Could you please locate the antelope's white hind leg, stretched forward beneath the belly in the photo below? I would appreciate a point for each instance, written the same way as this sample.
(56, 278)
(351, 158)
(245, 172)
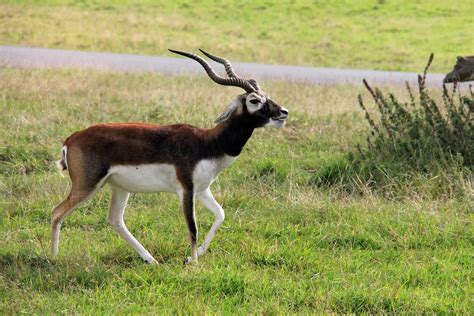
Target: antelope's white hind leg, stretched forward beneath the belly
(115, 219)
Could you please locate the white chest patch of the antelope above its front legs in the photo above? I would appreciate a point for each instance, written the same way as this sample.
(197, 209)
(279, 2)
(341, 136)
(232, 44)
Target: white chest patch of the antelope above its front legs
(206, 171)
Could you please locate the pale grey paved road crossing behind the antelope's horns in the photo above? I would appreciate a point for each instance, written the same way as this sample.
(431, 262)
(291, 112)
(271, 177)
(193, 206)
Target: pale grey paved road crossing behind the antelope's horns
(23, 57)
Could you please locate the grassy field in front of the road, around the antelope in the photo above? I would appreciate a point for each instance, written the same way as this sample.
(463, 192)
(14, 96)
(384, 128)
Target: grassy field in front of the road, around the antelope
(286, 245)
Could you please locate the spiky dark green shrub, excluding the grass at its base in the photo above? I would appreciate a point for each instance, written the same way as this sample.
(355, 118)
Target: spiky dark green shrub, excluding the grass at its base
(421, 131)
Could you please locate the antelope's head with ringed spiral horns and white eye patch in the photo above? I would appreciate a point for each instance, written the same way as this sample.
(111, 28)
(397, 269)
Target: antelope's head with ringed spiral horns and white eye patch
(253, 107)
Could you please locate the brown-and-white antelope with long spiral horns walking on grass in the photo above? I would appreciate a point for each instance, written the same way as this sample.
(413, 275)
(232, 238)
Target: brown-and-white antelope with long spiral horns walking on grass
(180, 158)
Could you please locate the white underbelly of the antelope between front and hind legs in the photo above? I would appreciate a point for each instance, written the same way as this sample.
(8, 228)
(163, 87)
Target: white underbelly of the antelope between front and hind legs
(145, 178)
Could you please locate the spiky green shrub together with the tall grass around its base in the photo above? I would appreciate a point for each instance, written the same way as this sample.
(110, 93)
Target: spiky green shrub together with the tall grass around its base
(421, 145)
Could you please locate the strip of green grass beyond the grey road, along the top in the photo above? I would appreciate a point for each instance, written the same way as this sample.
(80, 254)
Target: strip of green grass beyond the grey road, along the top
(391, 35)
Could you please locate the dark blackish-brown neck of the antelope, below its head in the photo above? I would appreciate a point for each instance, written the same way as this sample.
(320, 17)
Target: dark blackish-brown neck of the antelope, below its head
(230, 137)
